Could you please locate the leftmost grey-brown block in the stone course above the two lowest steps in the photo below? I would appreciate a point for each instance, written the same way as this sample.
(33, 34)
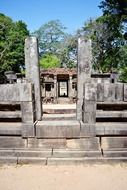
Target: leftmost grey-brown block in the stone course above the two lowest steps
(12, 142)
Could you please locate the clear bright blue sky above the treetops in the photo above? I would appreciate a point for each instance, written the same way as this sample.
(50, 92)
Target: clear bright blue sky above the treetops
(72, 13)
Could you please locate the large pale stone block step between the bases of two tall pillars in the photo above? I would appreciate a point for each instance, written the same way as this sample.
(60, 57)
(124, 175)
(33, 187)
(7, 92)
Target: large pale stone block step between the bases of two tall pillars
(57, 129)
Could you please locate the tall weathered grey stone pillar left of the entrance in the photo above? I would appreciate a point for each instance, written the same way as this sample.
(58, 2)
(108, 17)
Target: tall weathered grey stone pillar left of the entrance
(33, 71)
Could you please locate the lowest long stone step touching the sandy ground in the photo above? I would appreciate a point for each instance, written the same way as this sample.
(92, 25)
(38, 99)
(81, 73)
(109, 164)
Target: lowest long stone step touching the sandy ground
(62, 161)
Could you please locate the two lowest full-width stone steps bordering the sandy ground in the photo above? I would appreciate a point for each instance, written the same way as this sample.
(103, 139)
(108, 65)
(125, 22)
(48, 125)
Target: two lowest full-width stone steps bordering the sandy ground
(58, 157)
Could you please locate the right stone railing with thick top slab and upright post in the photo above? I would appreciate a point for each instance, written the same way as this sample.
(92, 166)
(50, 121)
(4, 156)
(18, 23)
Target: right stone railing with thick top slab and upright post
(114, 94)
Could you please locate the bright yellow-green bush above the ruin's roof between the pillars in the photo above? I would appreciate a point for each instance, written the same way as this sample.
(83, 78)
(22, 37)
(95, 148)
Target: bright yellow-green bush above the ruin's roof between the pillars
(49, 61)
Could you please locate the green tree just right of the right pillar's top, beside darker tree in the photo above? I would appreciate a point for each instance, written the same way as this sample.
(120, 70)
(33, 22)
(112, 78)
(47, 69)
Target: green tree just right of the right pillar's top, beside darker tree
(106, 47)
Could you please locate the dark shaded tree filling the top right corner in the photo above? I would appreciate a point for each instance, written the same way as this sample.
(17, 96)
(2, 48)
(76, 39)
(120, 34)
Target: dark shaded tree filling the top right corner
(115, 12)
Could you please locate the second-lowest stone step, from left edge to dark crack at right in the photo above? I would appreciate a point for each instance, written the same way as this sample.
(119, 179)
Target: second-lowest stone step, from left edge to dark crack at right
(47, 153)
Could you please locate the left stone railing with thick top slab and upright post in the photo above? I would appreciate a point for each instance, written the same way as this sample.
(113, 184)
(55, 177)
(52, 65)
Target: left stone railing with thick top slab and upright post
(23, 94)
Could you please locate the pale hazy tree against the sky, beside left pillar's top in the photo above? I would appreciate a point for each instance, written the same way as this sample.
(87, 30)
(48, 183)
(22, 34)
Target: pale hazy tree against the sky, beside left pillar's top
(50, 36)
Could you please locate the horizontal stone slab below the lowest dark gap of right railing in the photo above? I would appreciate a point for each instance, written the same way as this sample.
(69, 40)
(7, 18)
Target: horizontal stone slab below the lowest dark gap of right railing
(111, 128)
